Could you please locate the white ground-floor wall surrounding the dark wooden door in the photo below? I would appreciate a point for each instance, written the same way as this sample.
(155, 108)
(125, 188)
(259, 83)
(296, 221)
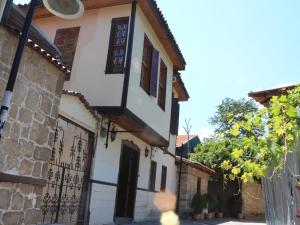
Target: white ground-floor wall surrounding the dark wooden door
(106, 169)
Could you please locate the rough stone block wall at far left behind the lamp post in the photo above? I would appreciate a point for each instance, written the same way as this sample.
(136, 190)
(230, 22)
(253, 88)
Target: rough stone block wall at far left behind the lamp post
(25, 148)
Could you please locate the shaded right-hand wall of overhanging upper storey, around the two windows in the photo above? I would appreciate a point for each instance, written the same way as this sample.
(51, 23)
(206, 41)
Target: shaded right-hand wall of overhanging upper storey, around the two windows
(139, 101)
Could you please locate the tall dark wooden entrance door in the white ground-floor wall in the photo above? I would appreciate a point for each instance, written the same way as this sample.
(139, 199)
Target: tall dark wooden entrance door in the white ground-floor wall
(127, 183)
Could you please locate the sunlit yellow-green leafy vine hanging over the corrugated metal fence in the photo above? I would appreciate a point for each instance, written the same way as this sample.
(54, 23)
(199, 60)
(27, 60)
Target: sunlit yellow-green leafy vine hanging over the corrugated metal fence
(262, 139)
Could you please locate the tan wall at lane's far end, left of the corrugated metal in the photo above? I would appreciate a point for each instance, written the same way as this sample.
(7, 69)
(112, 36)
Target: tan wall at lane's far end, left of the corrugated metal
(253, 199)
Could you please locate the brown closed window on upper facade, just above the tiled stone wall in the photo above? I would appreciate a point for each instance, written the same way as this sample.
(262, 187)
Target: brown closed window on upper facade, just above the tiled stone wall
(66, 40)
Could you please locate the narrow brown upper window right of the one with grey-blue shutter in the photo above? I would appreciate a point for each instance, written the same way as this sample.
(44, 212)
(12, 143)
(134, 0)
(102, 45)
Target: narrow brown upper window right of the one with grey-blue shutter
(162, 85)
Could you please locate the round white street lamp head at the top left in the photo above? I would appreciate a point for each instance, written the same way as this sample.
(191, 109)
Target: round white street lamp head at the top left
(66, 9)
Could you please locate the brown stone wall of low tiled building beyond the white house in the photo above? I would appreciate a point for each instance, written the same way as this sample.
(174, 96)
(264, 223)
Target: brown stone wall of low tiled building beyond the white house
(188, 187)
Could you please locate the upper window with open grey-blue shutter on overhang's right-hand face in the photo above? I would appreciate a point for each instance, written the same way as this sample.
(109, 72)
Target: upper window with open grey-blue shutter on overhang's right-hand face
(149, 68)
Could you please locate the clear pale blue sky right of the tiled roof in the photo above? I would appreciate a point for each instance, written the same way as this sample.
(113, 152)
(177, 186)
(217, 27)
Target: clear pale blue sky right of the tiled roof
(232, 47)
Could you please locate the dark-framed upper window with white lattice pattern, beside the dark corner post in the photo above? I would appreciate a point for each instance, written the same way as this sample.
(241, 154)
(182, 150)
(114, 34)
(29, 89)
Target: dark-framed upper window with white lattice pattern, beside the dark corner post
(117, 45)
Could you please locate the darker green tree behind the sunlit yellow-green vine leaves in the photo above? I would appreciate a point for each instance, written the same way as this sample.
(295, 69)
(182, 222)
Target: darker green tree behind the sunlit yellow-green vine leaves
(213, 151)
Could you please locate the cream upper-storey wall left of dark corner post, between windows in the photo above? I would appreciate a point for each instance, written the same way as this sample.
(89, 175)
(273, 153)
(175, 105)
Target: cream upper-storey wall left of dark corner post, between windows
(88, 73)
